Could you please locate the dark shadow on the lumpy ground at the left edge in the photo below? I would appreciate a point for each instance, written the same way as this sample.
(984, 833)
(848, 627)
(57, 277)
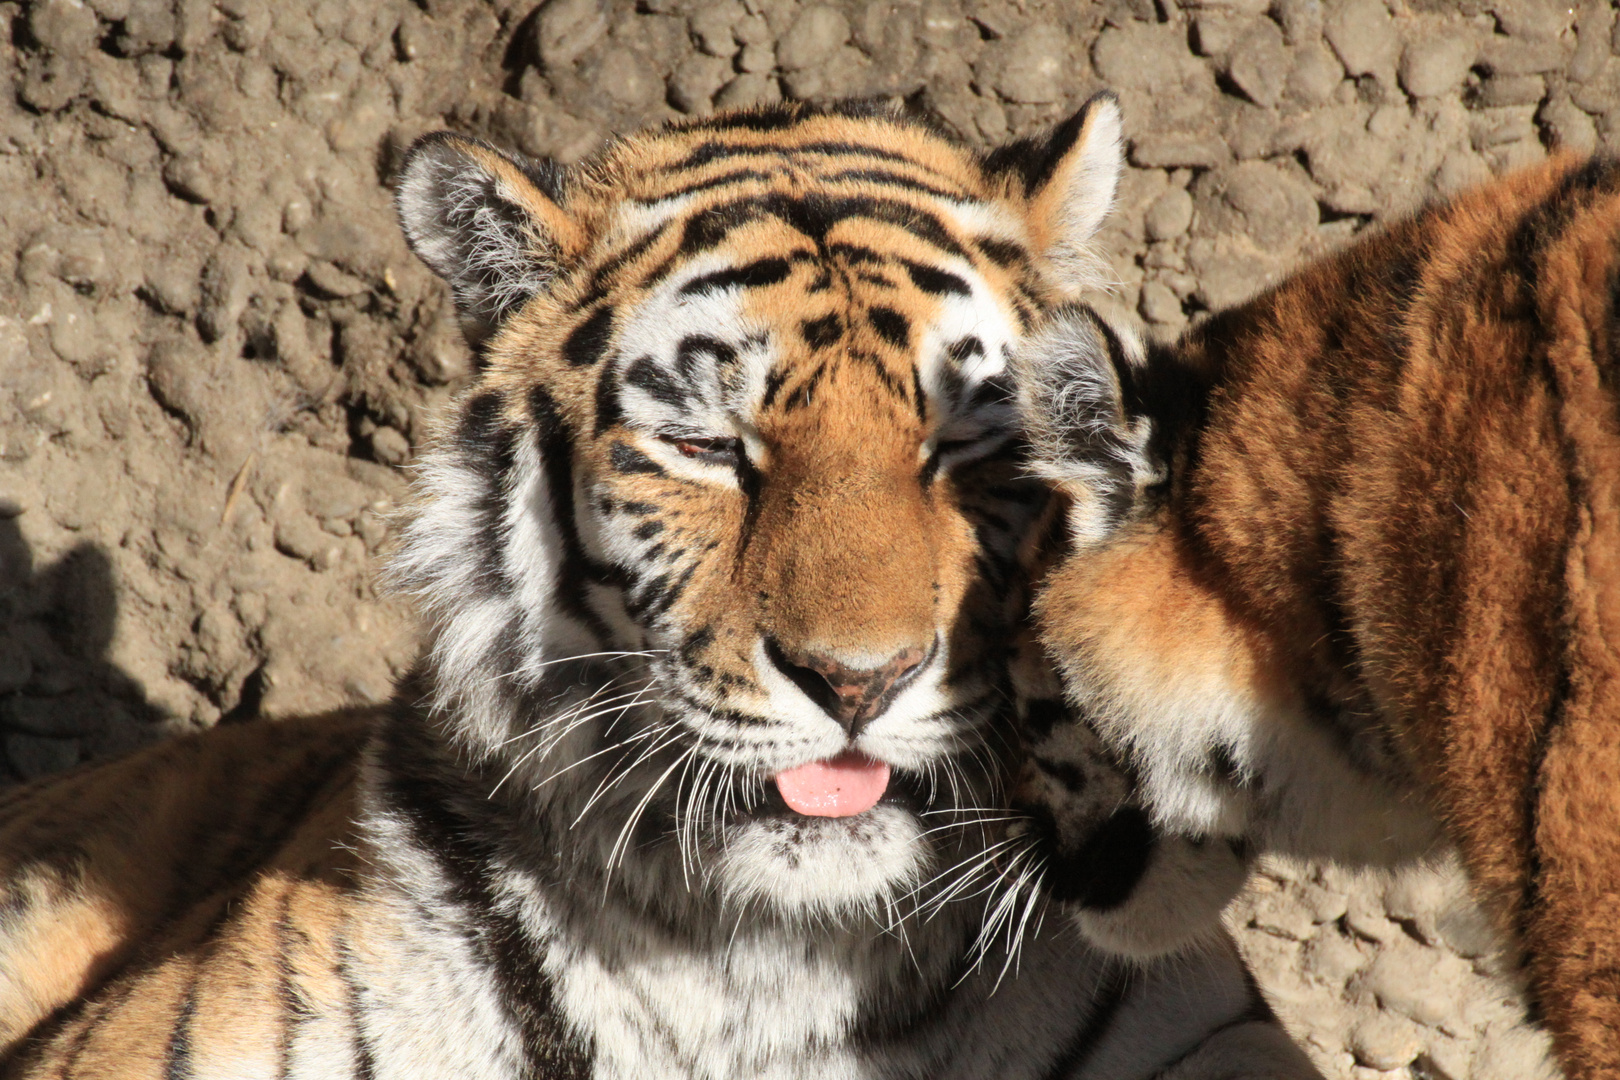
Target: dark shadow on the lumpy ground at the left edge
(62, 699)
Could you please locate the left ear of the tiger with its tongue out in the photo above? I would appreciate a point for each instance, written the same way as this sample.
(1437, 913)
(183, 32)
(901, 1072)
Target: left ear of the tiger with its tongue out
(488, 223)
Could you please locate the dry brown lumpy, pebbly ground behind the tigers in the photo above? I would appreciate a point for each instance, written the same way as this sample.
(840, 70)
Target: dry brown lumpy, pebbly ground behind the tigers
(218, 359)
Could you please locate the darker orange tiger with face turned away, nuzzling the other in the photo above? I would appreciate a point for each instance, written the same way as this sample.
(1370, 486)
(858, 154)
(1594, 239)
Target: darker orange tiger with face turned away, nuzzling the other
(1345, 563)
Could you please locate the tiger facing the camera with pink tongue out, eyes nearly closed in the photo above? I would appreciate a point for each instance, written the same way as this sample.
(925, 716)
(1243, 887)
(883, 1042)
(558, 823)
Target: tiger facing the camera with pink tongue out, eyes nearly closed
(720, 555)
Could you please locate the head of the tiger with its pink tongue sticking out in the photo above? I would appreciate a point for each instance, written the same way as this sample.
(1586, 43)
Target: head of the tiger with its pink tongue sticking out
(722, 548)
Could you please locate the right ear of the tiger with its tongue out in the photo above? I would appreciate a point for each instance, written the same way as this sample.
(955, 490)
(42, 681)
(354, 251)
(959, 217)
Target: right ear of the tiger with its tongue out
(1067, 182)
